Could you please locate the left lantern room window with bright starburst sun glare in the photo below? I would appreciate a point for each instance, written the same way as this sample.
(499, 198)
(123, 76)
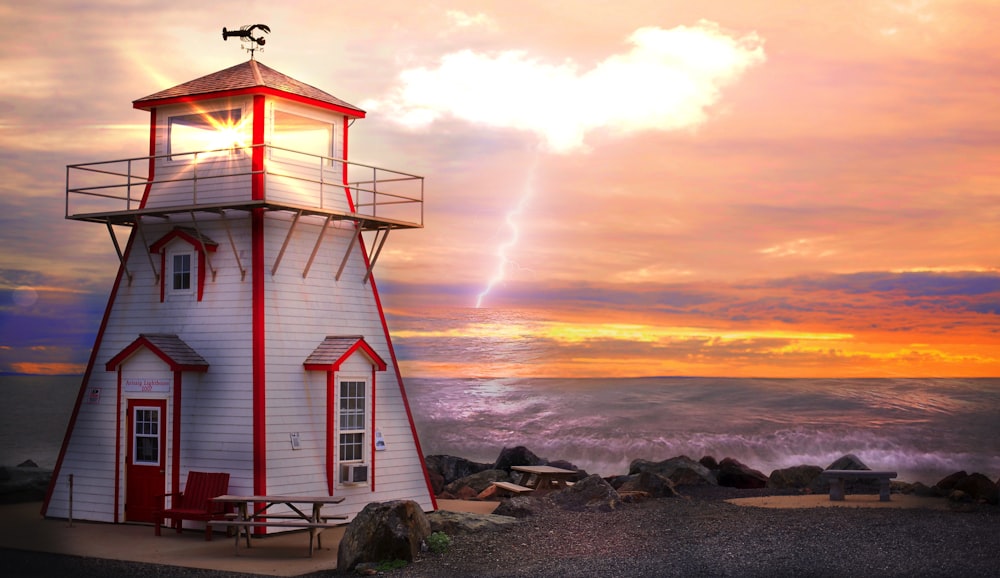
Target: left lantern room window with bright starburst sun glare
(211, 134)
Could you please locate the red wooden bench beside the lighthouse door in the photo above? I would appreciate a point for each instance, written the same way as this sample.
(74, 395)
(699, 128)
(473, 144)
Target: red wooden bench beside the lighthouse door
(195, 502)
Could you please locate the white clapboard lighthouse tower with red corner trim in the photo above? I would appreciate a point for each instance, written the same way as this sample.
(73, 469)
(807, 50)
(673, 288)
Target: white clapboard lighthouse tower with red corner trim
(244, 332)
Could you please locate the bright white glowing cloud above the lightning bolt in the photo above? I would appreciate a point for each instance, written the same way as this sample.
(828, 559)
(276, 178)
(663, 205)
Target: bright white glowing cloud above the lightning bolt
(666, 81)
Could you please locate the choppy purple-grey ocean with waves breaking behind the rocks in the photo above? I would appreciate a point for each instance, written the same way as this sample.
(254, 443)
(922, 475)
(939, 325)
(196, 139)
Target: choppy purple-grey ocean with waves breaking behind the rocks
(923, 428)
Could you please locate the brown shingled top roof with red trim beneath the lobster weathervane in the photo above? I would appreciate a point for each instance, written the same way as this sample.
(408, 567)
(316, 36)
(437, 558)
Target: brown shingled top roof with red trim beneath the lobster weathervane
(242, 77)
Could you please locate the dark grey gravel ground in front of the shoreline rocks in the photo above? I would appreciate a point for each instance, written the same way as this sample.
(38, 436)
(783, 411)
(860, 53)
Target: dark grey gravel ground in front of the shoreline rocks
(698, 535)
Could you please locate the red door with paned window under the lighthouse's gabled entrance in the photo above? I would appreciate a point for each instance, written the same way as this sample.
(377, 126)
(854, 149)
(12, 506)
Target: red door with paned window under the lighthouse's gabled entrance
(145, 465)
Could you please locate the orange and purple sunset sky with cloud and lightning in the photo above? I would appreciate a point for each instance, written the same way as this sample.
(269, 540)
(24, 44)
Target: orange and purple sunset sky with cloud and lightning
(749, 189)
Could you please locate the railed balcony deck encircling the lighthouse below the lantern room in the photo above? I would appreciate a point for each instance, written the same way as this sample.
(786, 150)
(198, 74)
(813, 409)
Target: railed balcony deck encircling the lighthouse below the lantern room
(112, 191)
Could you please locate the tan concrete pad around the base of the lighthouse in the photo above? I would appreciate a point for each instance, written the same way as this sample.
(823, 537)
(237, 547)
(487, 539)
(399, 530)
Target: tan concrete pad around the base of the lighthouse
(287, 554)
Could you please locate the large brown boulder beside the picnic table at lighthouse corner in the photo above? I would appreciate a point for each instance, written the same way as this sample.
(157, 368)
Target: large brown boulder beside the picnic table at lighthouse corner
(383, 531)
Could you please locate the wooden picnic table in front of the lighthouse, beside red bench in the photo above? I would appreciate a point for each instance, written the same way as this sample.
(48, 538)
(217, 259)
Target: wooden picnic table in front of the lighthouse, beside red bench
(304, 512)
